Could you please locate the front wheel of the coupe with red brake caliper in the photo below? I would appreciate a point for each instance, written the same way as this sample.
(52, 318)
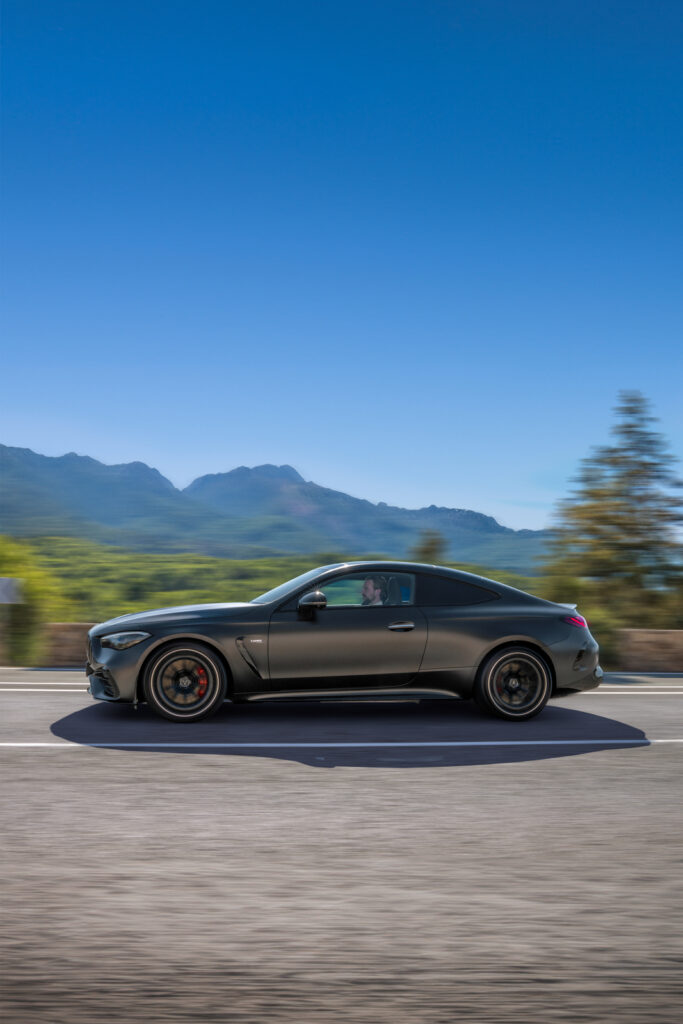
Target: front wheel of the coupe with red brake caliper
(185, 682)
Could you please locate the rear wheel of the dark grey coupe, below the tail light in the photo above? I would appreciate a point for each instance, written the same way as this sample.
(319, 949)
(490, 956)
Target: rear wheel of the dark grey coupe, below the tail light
(515, 684)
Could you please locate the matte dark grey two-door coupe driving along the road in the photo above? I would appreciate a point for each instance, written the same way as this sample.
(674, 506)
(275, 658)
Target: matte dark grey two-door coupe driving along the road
(350, 630)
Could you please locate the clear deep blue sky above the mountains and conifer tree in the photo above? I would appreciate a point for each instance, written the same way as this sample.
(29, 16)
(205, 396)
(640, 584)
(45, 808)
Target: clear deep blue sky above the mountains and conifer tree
(414, 249)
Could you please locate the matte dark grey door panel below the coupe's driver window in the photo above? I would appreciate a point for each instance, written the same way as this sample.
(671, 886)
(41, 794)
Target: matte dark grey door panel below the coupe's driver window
(347, 647)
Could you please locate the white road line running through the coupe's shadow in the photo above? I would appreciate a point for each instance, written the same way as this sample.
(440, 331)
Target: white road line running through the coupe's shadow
(113, 745)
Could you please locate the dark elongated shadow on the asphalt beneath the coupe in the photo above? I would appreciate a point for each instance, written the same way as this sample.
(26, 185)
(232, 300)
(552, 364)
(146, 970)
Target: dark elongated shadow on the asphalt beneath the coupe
(315, 734)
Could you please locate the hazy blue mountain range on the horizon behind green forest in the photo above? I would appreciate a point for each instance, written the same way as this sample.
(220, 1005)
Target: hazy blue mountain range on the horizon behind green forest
(244, 514)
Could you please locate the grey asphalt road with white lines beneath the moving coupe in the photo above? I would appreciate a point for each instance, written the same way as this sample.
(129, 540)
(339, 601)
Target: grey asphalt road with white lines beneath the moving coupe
(357, 863)
